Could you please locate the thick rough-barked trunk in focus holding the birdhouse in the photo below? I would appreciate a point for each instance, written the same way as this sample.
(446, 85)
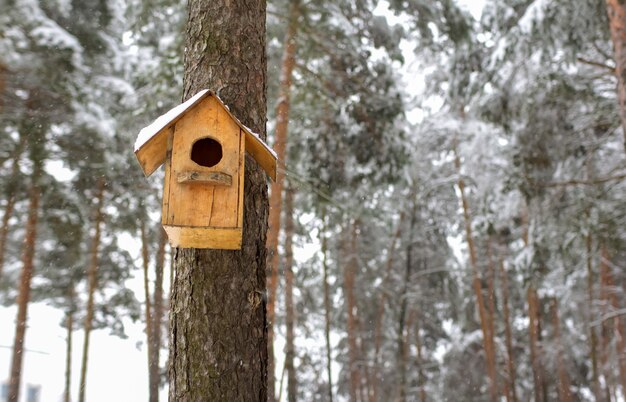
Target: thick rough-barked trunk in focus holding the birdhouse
(218, 346)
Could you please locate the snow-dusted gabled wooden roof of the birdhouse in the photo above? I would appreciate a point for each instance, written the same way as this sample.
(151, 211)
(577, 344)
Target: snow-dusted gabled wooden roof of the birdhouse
(151, 143)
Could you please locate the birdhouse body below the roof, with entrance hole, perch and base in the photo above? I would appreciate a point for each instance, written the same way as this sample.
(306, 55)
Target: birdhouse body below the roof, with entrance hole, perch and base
(204, 179)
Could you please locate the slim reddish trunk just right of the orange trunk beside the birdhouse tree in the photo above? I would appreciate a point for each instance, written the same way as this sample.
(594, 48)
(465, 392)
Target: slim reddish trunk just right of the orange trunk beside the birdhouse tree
(292, 384)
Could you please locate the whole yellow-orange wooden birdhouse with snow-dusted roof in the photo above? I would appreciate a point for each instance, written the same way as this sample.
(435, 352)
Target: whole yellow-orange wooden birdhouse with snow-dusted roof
(203, 147)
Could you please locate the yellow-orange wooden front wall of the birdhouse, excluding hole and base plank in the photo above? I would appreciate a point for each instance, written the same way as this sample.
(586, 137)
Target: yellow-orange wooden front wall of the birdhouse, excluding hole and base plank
(201, 204)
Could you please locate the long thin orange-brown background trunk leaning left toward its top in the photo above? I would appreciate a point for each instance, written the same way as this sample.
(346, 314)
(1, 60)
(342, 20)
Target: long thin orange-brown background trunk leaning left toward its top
(488, 342)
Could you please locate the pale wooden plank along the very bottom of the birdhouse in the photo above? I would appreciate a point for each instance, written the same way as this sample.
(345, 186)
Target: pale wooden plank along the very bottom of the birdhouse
(202, 237)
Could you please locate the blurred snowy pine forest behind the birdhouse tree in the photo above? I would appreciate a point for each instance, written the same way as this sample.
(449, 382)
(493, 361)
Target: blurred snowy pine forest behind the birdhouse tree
(453, 214)
